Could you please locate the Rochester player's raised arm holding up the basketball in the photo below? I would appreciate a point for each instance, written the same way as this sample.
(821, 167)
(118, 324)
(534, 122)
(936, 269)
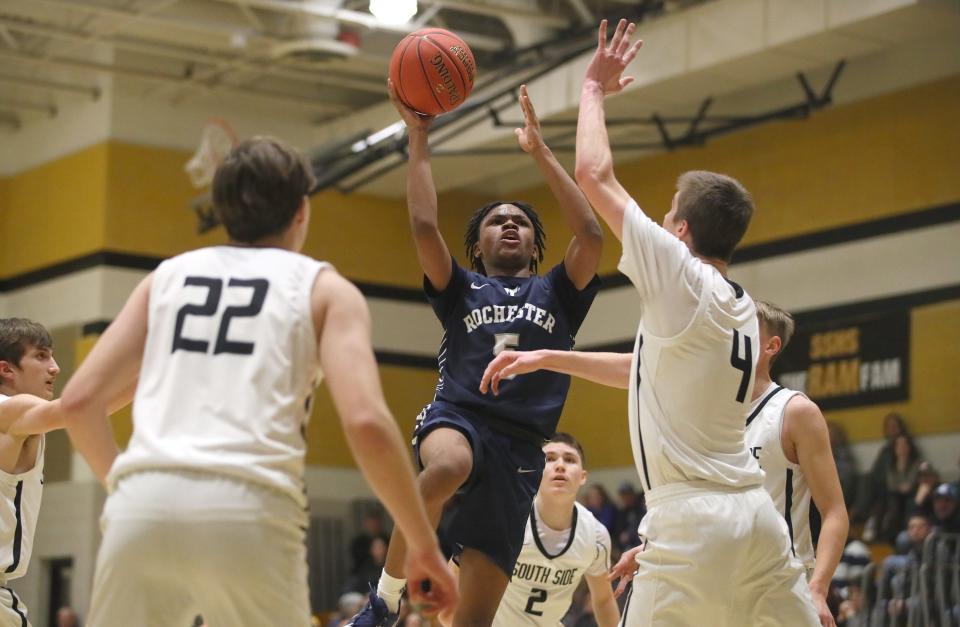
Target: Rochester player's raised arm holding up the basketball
(432, 251)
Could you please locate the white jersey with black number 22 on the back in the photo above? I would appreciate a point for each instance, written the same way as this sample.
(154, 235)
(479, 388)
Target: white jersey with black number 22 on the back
(229, 367)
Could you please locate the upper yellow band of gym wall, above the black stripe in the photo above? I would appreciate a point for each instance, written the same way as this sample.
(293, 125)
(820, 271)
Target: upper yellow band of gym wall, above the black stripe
(880, 157)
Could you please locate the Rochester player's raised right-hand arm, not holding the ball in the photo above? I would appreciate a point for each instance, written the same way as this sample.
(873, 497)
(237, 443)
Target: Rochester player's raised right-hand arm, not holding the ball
(583, 253)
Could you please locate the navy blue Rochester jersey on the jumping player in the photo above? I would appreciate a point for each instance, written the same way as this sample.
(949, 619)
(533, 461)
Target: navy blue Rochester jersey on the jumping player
(483, 315)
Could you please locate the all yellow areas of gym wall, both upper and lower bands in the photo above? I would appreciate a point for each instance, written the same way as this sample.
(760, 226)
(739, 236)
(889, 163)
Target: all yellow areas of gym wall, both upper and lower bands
(885, 156)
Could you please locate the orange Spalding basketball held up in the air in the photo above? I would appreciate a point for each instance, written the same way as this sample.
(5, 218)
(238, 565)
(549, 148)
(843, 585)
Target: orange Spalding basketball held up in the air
(433, 71)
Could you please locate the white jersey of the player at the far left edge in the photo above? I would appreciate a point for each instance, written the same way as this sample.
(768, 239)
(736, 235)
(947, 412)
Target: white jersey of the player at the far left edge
(18, 515)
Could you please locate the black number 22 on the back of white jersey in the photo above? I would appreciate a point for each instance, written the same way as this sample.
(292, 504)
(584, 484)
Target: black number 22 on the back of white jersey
(209, 309)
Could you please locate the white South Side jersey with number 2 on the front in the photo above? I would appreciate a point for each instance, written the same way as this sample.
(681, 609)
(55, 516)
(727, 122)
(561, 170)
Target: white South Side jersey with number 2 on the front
(543, 582)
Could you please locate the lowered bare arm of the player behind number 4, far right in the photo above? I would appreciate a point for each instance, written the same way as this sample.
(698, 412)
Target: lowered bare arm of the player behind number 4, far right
(808, 430)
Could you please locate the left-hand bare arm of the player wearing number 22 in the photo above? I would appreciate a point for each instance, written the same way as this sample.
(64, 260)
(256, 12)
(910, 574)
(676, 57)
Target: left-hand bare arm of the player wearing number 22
(105, 381)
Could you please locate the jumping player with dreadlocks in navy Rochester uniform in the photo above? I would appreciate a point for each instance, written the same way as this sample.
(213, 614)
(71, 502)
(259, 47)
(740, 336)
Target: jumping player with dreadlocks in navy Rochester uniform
(486, 449)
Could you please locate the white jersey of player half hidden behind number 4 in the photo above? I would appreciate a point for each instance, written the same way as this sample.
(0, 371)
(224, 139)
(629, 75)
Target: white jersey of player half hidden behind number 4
(783, 479)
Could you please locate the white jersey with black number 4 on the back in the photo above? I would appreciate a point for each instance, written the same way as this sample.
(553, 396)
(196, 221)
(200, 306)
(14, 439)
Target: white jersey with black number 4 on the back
(693, 363)
